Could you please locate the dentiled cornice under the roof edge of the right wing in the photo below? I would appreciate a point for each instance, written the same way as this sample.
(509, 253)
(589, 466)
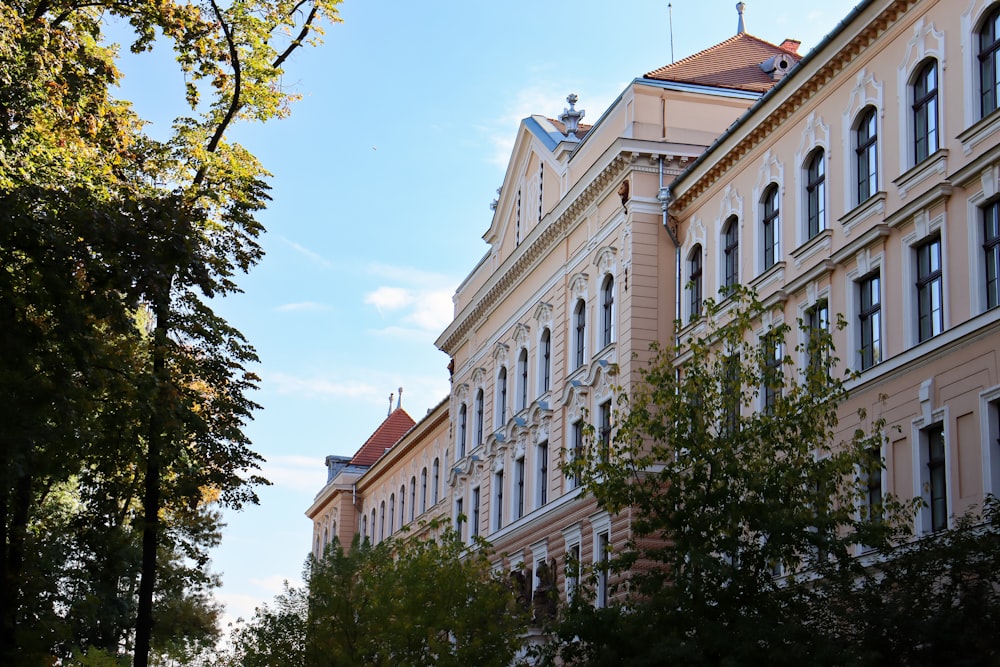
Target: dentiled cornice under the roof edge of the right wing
(798, 97)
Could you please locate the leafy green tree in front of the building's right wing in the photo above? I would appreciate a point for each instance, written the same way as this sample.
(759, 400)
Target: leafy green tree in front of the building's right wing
(736, 510)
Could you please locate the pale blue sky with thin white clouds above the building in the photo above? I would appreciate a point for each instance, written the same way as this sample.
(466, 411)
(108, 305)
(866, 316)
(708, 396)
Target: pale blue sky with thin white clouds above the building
(382, 179)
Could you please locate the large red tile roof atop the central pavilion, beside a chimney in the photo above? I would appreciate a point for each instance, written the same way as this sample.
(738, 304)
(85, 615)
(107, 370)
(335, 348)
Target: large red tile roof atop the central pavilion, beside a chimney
(734, 63)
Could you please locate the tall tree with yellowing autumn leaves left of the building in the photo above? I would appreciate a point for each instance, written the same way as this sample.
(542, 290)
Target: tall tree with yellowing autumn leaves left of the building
(99, 224)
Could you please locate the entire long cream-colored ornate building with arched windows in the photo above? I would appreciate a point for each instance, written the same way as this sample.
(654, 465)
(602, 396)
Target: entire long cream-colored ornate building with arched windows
(861, 179)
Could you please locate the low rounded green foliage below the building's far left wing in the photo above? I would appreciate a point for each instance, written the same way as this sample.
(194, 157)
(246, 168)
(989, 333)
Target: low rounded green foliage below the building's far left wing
(408, 601)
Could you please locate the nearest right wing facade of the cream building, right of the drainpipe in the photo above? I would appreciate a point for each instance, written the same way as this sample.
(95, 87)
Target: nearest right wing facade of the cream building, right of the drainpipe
(866, 185)
